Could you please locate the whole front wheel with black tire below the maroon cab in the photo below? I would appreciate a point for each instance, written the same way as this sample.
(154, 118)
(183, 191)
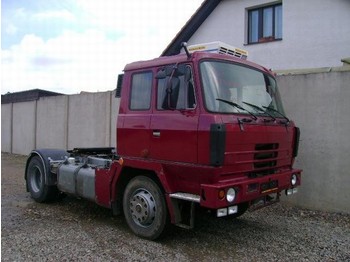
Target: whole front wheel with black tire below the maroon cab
(145, 209)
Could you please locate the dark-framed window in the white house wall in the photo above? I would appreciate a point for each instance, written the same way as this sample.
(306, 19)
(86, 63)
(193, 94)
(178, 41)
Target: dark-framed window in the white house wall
(265, 24)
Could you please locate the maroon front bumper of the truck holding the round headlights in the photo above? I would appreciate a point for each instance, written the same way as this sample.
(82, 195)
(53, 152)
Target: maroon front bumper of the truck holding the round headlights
(247, 189)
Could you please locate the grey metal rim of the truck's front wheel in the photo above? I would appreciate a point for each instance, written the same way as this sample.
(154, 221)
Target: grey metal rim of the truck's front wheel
(142, 207)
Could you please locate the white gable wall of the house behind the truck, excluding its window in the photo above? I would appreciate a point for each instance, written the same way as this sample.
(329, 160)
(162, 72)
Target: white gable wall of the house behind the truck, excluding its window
(315, 32)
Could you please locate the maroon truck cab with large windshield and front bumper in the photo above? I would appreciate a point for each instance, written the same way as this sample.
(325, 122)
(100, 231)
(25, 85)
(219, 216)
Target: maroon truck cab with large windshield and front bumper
(213, 121)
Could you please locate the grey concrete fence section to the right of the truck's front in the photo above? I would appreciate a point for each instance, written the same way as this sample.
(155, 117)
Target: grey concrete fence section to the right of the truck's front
(320, 105)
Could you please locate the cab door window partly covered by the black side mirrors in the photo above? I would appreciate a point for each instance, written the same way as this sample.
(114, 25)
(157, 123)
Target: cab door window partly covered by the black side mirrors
(176, 91)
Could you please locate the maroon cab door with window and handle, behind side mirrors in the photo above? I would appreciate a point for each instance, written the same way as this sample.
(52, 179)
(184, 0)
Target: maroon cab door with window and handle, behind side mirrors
(174, 120)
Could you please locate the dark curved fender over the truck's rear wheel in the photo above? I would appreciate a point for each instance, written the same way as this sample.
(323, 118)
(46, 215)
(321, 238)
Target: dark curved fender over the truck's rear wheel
(45, 154)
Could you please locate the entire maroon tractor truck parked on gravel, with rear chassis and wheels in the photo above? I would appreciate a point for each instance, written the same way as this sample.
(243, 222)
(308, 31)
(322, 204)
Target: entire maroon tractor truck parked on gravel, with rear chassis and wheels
(205, 128)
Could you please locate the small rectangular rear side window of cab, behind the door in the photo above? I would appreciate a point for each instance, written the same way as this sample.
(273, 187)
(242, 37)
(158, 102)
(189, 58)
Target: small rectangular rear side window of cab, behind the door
(141, 86)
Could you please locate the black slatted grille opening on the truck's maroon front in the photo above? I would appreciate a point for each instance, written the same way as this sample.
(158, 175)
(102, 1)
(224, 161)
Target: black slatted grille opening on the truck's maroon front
(265, 156)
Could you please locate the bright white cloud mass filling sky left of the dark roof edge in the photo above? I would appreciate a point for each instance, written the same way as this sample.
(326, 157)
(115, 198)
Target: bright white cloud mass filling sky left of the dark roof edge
(88, 60)
